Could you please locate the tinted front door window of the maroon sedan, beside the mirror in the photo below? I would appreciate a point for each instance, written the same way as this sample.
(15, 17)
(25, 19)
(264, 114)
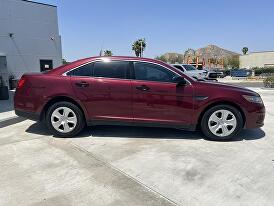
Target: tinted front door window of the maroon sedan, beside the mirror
(152, 72)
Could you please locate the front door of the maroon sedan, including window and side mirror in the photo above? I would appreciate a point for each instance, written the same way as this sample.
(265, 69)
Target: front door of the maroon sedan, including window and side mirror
(157, 99)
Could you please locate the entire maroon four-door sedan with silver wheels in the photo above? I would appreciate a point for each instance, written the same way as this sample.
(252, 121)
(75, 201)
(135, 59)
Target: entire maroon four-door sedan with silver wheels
(134, 91)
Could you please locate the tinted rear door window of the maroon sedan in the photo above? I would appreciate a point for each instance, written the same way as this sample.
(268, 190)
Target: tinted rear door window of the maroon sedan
(113, 69)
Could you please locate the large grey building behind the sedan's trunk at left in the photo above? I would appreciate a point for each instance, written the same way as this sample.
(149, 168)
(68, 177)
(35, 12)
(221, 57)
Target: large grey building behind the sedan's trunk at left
(29, 38)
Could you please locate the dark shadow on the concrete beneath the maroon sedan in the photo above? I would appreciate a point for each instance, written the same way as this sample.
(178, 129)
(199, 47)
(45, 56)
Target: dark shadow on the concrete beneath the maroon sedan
(144, 132)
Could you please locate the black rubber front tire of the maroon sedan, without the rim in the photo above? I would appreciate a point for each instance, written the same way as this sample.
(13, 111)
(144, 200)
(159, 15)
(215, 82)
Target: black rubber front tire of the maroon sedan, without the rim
(204, 122)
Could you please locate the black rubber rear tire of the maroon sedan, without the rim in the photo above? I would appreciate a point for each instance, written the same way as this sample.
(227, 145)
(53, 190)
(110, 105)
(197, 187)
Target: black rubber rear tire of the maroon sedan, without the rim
(79, 115)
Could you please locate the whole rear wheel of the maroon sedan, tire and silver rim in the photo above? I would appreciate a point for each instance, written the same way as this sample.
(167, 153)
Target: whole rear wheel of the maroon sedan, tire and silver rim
(65, 119)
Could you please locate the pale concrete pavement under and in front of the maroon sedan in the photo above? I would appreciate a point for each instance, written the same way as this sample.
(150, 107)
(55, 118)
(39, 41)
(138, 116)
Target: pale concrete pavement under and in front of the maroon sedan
(108, 165)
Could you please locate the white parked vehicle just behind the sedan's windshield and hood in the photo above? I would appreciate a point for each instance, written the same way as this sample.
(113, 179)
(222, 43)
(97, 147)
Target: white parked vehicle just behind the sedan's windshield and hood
(191, 71)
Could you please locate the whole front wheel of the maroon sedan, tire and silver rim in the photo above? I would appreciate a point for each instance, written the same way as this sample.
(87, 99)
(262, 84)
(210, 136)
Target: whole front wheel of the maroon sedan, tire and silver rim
(221, 122)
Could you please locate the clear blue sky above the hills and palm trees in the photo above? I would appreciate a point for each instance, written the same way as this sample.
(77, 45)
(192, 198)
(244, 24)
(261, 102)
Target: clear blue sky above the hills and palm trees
(167, 26)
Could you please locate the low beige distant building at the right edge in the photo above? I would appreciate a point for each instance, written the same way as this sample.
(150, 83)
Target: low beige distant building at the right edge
(257, 59)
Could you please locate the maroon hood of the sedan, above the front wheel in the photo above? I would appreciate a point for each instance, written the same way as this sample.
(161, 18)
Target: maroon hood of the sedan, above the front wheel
(226, 86)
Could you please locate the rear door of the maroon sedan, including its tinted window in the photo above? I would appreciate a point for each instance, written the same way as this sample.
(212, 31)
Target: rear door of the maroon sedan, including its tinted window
(106, 93)
